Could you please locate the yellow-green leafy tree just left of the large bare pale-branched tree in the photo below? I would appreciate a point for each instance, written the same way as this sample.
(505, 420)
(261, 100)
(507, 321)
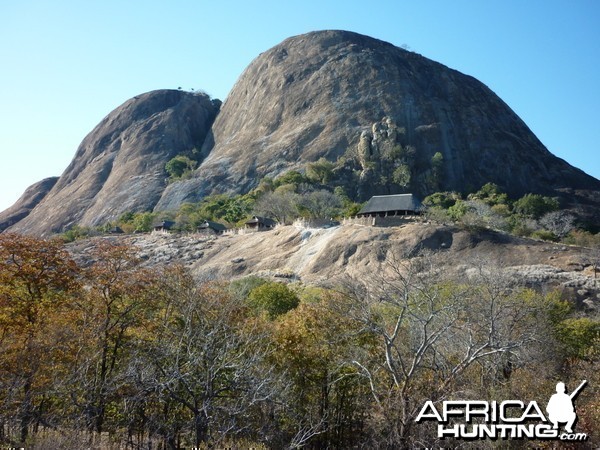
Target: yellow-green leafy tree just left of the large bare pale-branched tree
(327, 400)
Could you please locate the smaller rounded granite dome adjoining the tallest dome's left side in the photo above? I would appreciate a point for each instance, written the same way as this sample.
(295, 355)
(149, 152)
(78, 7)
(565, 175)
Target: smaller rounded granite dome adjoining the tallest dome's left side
(120, 165)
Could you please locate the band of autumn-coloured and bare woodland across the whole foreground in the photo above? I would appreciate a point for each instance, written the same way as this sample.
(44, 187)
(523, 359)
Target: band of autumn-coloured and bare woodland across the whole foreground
(109, 353)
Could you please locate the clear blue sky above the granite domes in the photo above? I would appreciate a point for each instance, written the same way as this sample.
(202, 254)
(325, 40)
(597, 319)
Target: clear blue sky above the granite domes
(67, 64)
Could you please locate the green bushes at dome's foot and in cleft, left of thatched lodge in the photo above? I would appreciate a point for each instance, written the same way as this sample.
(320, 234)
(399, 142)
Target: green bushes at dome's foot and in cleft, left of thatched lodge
(288, 197)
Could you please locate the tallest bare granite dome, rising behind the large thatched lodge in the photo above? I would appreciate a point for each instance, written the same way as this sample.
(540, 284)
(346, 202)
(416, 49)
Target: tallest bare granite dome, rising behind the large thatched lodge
(316, 94)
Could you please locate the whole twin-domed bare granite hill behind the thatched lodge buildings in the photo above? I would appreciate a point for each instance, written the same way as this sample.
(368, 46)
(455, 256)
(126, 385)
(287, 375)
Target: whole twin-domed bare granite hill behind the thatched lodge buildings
(391, 120)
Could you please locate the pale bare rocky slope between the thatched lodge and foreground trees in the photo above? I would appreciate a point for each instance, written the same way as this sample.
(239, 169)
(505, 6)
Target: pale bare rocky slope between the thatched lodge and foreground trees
(328, 256)
